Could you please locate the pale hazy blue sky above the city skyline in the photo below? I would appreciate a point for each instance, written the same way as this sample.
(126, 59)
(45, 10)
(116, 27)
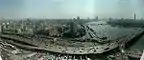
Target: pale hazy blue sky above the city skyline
(70, 8)
